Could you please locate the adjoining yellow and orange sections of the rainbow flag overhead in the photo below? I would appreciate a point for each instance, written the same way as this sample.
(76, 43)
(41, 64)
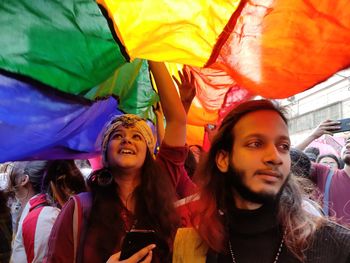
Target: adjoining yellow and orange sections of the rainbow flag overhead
(272, 48)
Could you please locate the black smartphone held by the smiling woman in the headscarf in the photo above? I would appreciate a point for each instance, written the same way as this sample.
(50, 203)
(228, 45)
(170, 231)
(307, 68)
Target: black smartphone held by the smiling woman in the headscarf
(135, 240)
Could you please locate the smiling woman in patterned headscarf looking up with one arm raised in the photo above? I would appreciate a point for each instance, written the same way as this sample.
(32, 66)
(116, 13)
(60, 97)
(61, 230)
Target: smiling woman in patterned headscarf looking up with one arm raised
(134, 189)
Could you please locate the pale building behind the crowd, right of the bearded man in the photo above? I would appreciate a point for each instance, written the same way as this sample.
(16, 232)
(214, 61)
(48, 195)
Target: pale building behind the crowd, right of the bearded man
(327, 100)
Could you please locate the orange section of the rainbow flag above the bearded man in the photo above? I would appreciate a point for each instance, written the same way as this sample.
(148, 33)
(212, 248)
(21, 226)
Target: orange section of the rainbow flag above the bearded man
(278, 48)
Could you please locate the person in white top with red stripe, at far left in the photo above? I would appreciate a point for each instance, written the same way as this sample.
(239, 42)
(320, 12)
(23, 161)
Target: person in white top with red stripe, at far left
(38, 216)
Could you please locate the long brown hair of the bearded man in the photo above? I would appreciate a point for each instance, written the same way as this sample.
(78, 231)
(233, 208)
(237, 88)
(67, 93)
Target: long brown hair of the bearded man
(216, 193)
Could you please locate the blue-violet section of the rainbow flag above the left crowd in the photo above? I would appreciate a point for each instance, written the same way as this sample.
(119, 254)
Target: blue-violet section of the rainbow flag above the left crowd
(41, 123)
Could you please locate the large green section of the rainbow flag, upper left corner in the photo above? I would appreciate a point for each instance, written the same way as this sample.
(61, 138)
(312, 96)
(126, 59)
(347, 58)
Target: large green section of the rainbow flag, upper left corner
(65, 44)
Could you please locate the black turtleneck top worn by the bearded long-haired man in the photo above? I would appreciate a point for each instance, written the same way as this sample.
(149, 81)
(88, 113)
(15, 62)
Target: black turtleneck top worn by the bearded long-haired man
(255, 237)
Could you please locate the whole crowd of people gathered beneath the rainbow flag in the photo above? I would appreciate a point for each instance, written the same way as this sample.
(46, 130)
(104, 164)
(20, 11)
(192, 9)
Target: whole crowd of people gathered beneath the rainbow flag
(249, 197)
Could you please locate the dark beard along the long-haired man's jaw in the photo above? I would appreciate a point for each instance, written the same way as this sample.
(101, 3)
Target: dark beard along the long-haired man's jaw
(235, 178)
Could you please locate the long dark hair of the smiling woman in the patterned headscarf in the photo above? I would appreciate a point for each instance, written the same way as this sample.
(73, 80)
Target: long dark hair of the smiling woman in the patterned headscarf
(154, 198)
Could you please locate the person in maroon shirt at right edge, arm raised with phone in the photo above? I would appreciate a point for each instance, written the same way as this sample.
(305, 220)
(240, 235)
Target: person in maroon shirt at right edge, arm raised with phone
(333, 184)
